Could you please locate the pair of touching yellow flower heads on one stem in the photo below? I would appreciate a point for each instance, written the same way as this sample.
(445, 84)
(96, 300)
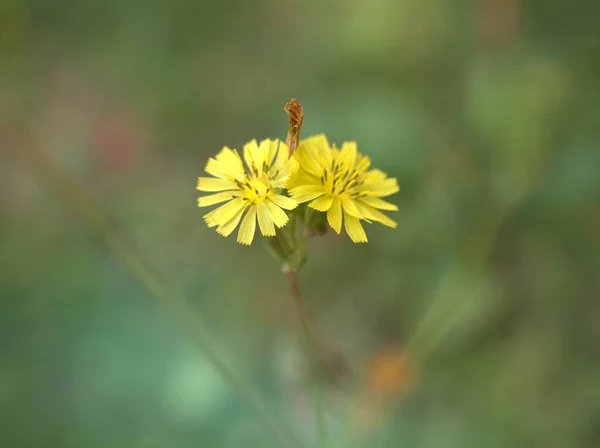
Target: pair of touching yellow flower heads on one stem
(337, 181)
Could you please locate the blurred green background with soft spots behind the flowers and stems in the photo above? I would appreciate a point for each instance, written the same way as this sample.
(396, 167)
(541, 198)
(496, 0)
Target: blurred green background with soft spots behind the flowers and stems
(488, 114)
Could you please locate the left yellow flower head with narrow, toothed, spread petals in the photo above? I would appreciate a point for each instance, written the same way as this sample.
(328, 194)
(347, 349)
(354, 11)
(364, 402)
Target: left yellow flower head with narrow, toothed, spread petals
(254, 189)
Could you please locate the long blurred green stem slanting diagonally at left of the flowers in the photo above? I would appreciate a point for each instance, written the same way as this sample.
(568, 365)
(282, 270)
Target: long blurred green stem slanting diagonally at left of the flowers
(83, 205)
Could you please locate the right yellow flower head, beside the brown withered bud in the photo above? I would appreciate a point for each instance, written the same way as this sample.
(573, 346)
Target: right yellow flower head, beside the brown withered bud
(340, 183)
